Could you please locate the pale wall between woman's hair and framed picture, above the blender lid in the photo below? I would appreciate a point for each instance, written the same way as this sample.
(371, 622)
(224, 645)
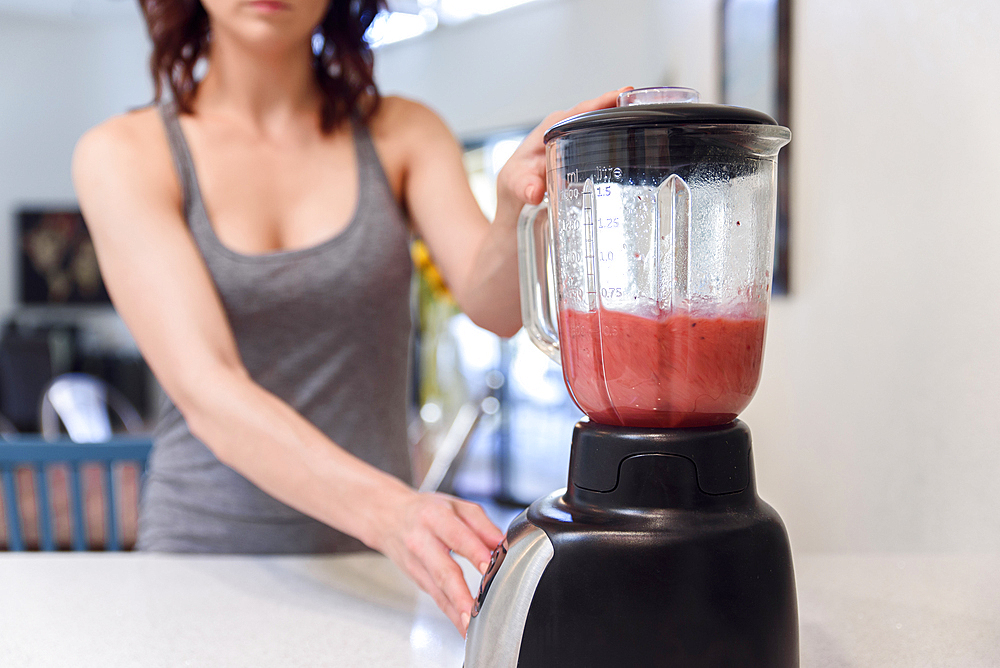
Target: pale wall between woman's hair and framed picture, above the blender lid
(513, 68)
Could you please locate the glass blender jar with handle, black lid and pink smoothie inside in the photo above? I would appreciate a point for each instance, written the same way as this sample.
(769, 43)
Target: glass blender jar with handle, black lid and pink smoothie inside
(650, 276)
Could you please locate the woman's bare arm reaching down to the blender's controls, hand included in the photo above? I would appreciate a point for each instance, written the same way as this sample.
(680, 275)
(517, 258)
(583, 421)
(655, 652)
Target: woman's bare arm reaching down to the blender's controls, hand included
(162, 289)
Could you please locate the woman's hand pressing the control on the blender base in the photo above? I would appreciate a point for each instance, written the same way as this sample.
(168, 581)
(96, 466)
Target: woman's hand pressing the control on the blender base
(419, 530)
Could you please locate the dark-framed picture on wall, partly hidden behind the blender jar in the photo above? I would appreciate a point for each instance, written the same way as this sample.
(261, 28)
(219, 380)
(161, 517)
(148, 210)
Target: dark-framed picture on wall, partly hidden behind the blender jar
(756, 47)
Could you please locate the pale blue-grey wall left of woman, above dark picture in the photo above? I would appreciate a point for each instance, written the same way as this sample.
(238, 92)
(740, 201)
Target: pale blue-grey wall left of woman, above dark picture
(61, 75)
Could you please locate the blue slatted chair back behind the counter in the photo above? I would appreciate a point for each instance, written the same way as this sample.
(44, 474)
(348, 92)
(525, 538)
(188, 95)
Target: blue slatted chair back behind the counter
(37, 454)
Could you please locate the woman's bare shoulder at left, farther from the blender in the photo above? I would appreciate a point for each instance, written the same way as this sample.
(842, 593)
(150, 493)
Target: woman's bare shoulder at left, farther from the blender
(131, 148)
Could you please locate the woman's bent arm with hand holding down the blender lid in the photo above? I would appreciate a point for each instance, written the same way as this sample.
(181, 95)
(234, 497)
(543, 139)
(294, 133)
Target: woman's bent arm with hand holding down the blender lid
(477, 260)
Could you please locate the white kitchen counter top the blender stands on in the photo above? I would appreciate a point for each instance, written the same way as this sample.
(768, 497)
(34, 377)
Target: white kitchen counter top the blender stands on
(131, 609)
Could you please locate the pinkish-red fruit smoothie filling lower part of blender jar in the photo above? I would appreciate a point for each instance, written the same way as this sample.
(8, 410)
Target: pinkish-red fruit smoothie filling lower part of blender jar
(677, 370)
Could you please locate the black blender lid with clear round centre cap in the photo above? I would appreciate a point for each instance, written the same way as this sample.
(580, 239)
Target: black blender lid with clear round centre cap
(659, 107)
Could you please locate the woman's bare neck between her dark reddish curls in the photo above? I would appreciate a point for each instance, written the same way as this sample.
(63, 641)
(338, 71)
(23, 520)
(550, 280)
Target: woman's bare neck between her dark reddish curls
(265, 88)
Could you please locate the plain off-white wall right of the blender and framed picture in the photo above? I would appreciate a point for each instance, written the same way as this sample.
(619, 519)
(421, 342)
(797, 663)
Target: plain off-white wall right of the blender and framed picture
(876, 420)
